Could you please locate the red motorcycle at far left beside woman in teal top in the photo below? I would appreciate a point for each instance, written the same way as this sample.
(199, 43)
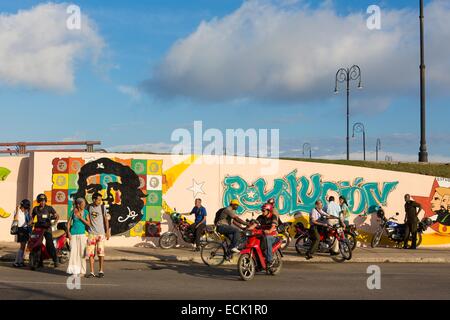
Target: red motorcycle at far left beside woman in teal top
(38, 250)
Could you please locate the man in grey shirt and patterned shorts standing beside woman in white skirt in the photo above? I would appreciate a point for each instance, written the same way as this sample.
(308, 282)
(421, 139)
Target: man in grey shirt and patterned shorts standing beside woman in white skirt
(98, 233)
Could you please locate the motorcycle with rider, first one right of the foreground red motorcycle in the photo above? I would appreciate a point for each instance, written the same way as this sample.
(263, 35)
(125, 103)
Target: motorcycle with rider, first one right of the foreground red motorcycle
(327, 240)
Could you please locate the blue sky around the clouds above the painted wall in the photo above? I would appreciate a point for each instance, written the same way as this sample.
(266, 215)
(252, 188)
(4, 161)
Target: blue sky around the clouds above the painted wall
(110, 101)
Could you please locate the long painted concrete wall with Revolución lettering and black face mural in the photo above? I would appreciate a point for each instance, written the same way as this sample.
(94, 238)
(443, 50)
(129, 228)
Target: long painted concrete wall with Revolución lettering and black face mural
(158, 183)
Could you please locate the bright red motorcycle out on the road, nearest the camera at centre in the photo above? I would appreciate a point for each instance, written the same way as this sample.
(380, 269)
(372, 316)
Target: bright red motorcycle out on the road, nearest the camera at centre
(252, 258)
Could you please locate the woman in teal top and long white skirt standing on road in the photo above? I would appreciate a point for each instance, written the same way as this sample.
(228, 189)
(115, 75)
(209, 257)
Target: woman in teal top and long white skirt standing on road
(76, 228)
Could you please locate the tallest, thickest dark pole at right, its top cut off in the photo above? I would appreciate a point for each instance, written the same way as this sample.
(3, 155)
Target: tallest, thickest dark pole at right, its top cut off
(423, 154)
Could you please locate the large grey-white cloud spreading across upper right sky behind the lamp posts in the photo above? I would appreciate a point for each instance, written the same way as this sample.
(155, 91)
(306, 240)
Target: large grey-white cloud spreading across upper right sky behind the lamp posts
(268, 51)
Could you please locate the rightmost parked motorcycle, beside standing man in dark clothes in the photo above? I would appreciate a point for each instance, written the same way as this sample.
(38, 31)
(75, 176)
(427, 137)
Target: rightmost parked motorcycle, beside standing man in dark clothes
(396, 231)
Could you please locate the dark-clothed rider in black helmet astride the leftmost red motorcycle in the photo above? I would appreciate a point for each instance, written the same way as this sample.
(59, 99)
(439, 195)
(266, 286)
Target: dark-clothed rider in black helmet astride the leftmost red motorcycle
(44, 214)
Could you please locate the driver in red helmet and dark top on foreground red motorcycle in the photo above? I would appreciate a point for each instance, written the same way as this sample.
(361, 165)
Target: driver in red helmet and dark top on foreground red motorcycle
(269, 222)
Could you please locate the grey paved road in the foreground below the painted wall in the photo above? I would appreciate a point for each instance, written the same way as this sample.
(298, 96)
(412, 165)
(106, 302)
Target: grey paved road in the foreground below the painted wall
(163, 280)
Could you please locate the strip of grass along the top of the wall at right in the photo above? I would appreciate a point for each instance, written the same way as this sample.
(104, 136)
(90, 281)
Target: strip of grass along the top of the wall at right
(430, 169)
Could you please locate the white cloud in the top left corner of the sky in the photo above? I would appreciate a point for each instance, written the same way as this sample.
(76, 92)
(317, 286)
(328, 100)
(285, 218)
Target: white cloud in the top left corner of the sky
(39, 51)
